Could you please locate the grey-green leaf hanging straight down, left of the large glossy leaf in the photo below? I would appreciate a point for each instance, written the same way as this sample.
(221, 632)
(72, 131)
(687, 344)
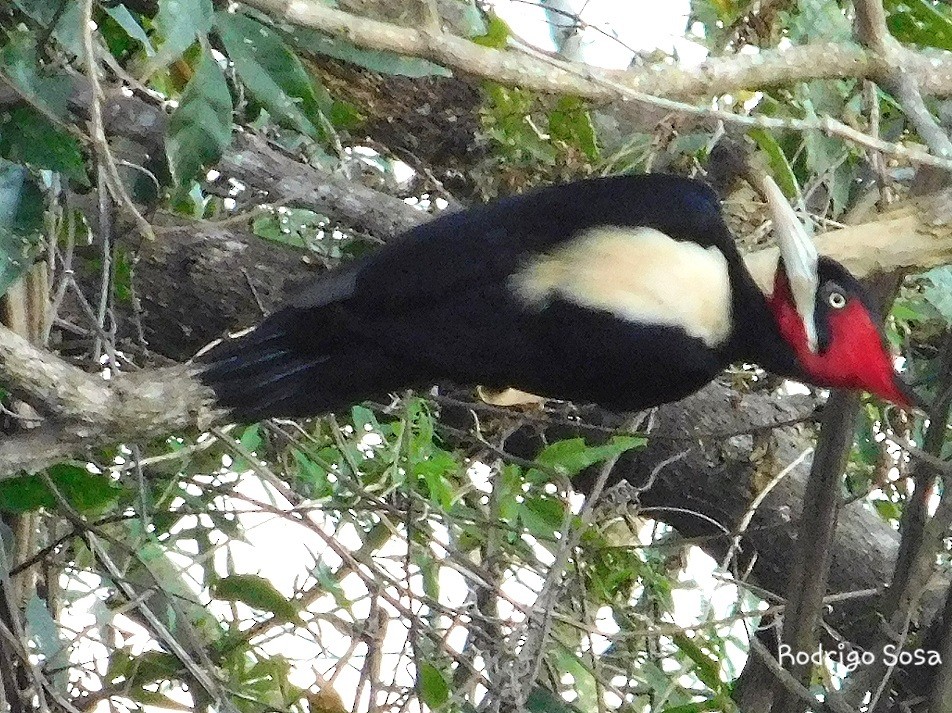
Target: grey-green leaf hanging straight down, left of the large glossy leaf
(200, 128)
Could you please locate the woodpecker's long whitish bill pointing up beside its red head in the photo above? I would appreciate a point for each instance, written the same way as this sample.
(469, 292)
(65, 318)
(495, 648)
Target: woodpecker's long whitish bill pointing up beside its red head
(799, 256)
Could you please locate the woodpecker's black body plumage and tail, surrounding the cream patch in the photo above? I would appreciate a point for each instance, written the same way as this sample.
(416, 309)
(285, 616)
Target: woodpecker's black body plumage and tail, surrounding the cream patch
(439, 304)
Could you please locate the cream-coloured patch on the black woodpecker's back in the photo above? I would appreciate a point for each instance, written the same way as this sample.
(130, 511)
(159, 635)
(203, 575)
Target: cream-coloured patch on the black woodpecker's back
(640, 275)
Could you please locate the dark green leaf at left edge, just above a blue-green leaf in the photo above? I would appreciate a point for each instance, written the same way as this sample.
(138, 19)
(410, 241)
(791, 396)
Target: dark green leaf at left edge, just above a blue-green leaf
(29, 138)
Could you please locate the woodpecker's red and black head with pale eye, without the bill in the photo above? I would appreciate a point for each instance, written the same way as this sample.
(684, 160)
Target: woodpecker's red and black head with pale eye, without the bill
(851, 350)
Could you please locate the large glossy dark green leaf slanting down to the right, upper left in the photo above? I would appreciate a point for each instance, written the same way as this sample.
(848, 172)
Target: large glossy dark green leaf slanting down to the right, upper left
(271, 72)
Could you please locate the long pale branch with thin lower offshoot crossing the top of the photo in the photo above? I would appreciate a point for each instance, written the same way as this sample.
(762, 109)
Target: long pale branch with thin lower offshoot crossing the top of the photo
(658, 85)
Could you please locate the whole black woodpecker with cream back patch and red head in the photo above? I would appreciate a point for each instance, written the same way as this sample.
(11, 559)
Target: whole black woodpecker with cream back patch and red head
(626, 291)
